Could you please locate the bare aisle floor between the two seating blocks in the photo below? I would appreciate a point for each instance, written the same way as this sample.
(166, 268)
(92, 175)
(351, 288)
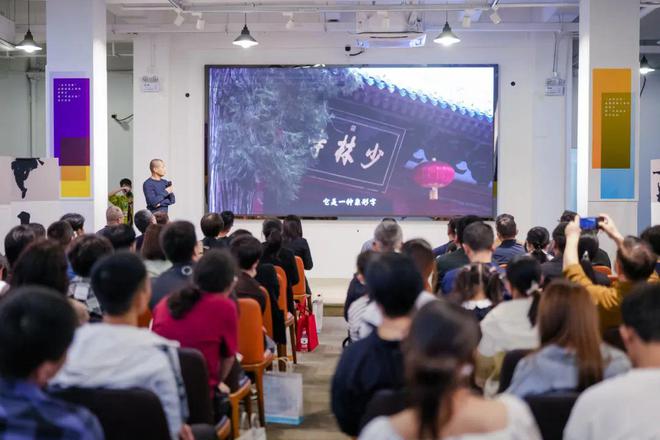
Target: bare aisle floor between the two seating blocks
(317, 369)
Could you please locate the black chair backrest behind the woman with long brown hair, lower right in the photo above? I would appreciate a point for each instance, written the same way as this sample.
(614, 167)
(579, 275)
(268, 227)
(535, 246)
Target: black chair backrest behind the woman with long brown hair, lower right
(551, 412)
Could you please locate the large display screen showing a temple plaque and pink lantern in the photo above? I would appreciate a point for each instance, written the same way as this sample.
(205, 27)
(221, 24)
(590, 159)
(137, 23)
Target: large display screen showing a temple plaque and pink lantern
(351, 141)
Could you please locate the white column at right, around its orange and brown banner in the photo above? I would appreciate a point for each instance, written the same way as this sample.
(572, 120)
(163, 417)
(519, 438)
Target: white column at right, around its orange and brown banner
(609, 38)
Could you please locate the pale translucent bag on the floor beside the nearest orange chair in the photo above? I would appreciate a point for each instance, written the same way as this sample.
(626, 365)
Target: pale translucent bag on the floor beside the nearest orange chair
(283, 395)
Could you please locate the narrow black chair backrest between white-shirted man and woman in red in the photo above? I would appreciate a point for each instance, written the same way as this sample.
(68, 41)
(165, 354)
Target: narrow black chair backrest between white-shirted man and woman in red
(196, 380)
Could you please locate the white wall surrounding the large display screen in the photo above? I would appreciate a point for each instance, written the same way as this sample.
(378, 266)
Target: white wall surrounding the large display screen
(532, 144)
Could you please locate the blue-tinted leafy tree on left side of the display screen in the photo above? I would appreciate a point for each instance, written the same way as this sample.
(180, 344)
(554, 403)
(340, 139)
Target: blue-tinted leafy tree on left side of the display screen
(262, 125)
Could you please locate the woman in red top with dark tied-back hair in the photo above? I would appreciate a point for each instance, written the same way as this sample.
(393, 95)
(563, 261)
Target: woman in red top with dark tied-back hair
(206, 301)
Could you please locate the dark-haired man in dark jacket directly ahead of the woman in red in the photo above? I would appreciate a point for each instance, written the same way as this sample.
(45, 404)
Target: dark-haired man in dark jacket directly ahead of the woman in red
(179, 242)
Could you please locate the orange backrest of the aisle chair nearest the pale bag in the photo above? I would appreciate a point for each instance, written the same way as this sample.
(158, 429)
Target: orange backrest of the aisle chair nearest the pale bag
(250, 333)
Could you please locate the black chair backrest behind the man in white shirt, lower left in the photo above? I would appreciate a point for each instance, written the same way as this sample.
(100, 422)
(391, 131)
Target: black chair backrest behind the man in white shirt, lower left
(128, 414)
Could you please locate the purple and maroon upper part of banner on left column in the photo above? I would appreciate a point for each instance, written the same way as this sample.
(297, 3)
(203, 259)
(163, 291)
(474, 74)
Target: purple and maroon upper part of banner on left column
(71, 121)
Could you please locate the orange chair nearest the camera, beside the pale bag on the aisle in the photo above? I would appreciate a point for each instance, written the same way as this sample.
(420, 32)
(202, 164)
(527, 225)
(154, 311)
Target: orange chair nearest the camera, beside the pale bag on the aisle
(251, 346)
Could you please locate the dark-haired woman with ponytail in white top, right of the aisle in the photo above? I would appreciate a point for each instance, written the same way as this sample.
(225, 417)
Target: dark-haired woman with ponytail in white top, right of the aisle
(512, 324)
